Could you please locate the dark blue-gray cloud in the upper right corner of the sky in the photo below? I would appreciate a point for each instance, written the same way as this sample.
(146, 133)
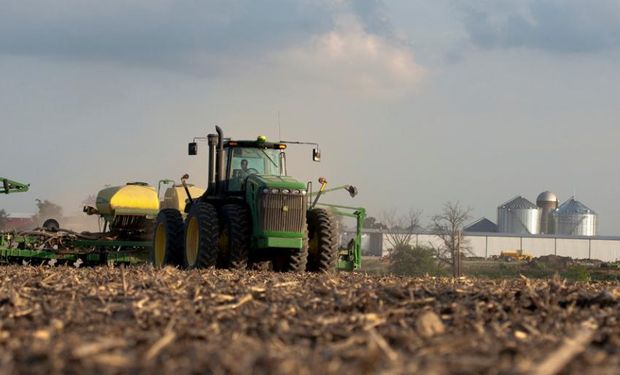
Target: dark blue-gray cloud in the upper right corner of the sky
(571, 26)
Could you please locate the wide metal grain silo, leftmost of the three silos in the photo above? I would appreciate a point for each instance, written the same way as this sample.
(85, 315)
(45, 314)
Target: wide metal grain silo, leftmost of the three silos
(518, 215)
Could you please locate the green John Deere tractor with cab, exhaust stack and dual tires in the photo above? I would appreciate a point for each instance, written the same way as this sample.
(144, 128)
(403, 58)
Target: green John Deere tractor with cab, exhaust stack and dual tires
(251, 215)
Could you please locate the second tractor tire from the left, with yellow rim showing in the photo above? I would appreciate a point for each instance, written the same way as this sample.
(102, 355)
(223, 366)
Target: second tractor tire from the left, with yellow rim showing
(201, 236)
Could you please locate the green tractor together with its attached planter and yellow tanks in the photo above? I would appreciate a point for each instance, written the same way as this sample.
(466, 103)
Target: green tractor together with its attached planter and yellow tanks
(252, 215)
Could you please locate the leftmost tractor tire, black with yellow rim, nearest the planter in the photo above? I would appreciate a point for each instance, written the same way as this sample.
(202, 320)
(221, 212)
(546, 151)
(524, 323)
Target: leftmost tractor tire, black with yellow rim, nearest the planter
(167, 246)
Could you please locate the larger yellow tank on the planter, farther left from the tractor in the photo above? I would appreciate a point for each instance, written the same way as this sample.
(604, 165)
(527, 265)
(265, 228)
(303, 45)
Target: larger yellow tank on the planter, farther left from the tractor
(133, 199)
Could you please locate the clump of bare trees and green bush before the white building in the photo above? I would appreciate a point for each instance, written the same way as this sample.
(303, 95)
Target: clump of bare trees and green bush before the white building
(447, 226)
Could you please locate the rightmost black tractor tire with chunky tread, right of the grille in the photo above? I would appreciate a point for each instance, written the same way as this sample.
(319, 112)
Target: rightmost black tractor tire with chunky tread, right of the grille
(323, 241)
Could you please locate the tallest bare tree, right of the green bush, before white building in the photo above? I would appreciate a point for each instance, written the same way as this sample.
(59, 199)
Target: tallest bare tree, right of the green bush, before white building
(448, 226)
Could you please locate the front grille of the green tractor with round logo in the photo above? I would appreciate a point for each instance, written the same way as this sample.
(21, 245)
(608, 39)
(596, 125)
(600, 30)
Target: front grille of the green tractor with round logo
(282, 212)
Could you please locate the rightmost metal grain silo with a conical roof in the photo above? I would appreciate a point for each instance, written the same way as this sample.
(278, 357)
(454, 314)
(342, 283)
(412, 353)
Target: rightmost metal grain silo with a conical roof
(574, 218)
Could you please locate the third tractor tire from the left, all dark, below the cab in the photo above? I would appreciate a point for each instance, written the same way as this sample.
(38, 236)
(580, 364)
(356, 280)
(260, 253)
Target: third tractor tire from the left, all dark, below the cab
(235, 237)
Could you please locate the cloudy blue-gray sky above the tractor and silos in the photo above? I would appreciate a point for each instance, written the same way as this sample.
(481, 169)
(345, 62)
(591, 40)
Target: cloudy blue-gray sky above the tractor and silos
(415, 102)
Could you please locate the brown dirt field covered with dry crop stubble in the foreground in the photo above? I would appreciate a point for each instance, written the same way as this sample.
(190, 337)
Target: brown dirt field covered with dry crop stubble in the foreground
(142, 320)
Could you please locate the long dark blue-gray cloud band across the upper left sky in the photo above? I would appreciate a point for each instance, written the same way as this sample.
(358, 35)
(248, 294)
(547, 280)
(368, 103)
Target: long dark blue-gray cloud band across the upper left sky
(162, 32)
